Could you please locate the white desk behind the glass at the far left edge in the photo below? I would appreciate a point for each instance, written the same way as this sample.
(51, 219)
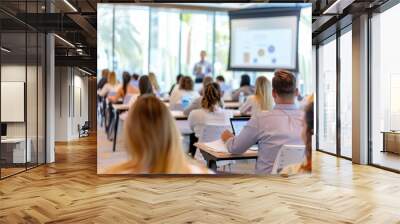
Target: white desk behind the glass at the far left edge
(19, 155)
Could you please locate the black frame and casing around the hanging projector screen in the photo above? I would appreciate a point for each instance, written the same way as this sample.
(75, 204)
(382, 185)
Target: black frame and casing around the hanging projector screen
(261, 13)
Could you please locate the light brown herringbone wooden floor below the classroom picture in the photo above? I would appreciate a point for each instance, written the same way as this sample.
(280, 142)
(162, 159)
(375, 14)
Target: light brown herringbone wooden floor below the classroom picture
(70, 191)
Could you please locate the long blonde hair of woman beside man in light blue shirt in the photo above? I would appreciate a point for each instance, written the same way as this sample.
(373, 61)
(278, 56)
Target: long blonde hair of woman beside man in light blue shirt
(263, 93)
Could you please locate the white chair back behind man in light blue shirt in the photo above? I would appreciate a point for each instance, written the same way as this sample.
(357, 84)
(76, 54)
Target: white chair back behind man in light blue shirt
(288, 155)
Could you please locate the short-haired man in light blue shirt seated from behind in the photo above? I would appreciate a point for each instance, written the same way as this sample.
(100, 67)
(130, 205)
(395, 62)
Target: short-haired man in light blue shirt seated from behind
(271, 129)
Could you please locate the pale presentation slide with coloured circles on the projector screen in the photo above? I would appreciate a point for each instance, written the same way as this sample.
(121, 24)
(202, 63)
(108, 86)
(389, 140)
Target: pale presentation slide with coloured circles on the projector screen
(264, 43)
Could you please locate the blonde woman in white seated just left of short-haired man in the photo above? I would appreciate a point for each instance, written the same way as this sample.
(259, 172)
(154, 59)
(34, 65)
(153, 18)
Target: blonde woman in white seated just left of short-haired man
(261, 100)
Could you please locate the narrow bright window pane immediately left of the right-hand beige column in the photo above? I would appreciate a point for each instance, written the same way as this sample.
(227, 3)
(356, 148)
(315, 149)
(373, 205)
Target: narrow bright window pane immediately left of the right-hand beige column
(346, 94)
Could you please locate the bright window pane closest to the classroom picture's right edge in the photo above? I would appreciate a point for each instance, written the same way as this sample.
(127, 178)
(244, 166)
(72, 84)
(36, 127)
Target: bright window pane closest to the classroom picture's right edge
(327, 97)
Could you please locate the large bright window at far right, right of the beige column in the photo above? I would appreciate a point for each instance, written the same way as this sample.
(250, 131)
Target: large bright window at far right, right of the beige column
(385, 84)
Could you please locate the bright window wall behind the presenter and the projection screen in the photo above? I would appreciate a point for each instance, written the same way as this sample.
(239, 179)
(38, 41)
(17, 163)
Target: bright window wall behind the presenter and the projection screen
(168, 41)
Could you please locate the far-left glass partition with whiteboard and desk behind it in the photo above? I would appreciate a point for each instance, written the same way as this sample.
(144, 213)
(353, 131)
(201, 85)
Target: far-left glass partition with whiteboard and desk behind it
(22, 90)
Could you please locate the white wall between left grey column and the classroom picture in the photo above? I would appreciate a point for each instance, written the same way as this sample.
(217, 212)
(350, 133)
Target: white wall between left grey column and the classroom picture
(71, 102)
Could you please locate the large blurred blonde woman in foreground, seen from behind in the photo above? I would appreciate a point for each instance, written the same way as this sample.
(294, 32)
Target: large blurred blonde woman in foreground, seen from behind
(153, 142)
